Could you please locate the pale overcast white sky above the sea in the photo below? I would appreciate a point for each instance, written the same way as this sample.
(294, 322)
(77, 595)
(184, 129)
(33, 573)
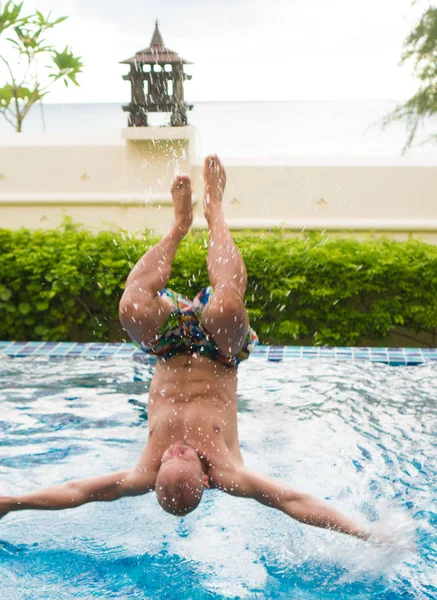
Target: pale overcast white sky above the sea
(243, 49)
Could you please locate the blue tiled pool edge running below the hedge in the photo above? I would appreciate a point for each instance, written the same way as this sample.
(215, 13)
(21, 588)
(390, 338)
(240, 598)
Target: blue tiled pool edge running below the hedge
(390, 356)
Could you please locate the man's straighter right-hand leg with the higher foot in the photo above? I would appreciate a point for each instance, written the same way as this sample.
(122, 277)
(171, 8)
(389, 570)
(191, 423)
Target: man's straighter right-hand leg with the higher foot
(224, 317)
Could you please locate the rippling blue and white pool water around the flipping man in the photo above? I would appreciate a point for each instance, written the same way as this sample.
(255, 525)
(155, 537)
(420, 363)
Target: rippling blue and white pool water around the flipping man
(362, 436)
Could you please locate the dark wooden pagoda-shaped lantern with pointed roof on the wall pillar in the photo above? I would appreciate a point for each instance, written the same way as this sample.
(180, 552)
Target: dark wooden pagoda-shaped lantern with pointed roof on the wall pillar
(157, 81)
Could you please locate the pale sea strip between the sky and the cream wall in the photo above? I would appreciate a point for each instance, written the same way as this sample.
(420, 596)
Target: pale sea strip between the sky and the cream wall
(252, 129)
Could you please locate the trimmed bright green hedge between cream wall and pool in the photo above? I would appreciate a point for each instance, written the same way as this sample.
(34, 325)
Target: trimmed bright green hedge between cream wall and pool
(65, 284)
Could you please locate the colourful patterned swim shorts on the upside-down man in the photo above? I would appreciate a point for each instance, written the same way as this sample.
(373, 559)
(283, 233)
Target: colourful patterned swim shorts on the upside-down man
(183, 333)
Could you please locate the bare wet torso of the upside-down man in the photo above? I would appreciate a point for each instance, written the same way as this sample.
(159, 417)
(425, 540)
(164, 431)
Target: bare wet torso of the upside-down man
(193, 399)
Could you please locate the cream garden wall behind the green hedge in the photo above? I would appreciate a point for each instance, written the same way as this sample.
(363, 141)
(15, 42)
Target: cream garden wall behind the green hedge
(110, 183)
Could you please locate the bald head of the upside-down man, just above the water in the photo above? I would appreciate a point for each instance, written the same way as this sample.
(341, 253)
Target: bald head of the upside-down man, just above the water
(181, 480)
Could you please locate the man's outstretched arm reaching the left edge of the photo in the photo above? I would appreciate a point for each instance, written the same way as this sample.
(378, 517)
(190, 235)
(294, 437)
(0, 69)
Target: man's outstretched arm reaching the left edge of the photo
(131, 482)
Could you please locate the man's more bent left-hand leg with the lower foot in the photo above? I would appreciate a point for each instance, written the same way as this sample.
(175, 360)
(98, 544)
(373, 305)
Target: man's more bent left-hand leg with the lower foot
(142, 311)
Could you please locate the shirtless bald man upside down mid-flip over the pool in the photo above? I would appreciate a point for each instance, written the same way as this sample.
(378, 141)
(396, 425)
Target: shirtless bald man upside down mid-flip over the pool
(193, 436)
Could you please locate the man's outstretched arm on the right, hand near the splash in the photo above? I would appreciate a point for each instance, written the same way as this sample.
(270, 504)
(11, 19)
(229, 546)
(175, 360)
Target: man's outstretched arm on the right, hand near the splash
(304, 508)
